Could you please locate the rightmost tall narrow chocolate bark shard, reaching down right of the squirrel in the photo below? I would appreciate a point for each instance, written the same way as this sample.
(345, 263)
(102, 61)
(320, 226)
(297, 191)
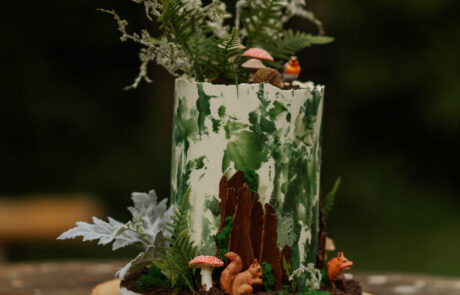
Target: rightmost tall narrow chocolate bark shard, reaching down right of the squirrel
(269, 249)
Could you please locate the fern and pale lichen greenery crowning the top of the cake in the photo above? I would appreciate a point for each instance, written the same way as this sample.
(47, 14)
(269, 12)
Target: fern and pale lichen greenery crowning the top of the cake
(205, 41)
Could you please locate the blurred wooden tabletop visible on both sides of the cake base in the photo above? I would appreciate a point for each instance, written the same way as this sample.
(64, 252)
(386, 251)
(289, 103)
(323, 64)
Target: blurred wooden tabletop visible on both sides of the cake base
(79, 278)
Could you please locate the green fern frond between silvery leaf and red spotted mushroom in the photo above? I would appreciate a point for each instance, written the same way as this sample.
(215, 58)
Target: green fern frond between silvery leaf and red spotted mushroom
(180, 250)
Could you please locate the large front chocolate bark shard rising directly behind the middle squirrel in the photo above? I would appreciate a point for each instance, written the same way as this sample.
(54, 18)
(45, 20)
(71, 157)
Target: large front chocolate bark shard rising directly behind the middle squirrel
(240, 235)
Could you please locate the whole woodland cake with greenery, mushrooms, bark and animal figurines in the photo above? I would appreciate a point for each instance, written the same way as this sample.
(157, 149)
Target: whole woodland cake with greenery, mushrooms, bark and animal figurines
(245, 214)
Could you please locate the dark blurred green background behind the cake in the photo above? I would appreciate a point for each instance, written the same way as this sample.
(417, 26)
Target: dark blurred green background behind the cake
(391, 122)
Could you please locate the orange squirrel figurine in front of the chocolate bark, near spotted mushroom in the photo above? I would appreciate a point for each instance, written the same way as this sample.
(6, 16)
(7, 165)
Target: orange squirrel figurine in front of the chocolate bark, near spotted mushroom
(235, 282)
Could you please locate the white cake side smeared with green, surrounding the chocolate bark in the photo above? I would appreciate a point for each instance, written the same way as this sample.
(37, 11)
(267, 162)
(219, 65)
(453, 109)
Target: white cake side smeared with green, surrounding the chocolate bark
(270, 134)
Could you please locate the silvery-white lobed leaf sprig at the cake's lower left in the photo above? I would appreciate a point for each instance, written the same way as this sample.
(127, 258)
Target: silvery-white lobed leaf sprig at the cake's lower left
(145, 230)
